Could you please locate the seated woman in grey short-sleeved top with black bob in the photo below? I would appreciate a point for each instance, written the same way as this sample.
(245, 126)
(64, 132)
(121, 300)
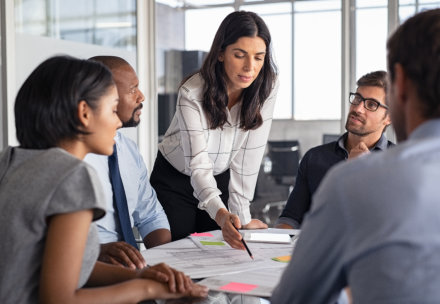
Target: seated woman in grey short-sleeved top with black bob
(49, 197)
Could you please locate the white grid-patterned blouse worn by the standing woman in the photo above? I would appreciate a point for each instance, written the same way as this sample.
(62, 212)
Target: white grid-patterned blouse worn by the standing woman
(200, 152)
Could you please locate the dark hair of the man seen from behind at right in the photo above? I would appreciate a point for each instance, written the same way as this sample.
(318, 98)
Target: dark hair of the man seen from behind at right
(415, 45)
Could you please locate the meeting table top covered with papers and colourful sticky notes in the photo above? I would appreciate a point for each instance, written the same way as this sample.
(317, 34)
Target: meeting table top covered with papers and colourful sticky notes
(231, 275)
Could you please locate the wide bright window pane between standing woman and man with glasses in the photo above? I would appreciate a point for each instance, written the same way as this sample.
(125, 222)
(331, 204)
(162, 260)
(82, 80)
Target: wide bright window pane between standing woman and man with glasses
(317, 60)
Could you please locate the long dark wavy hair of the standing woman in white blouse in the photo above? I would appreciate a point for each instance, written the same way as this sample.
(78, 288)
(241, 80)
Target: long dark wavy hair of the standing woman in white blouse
(215, 96)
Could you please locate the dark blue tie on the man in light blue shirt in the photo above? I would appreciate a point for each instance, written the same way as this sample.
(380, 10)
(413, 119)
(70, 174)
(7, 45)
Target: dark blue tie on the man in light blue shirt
(119, 199)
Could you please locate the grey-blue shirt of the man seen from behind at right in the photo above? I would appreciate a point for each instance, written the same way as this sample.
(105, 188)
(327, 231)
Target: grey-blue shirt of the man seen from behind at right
(374, 226)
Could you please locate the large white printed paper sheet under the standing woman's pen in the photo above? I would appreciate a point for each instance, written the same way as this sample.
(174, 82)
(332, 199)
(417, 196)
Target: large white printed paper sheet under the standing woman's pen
(201, 255)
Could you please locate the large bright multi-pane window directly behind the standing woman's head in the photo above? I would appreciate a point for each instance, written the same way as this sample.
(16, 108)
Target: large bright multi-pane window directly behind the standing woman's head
(316, 59)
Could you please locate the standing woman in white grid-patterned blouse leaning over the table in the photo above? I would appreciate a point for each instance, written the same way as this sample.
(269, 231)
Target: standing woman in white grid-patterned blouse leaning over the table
(208, 162)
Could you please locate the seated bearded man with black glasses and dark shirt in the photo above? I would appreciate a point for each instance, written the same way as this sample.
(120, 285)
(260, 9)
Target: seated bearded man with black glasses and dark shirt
(366, 122)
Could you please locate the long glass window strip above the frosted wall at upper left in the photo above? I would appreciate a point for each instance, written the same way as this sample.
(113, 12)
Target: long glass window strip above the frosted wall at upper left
(109, 23)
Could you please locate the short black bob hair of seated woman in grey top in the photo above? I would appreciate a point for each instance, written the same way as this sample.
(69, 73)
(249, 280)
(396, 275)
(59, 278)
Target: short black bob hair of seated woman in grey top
(46, 106)
